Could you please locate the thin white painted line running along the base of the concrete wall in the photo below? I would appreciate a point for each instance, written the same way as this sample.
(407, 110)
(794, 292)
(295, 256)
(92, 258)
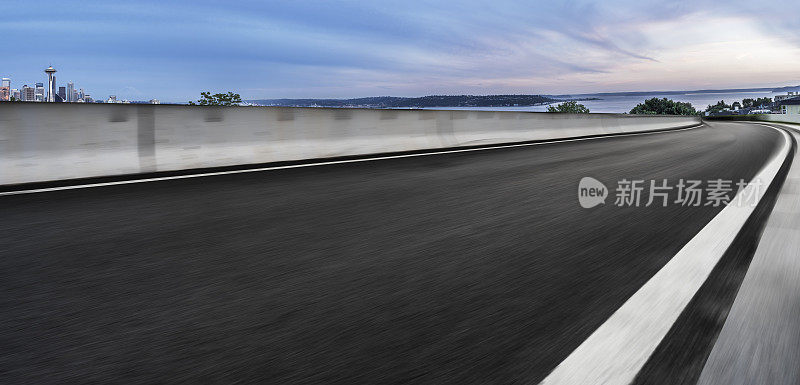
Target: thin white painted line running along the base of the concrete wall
(260, 169)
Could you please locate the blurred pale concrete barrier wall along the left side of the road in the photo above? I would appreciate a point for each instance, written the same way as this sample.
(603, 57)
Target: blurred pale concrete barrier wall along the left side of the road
(44, 142)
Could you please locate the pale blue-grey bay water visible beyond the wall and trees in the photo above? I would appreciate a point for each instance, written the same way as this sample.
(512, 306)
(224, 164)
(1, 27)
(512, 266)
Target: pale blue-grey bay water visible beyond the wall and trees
(620, 104)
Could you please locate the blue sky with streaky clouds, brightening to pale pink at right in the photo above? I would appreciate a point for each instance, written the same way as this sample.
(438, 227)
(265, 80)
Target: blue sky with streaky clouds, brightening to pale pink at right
(173, 50)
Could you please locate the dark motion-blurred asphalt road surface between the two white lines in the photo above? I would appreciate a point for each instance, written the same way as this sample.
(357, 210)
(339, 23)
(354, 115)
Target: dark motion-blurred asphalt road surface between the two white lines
(476, 267)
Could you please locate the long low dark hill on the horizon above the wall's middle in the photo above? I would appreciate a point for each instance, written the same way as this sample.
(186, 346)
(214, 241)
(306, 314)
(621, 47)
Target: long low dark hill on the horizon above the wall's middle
(425, 101)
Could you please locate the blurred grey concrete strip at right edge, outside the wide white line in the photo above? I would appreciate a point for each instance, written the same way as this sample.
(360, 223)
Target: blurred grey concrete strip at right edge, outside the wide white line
(759, 342)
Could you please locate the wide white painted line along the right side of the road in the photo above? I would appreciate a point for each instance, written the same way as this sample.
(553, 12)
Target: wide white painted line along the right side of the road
(618, 349)
